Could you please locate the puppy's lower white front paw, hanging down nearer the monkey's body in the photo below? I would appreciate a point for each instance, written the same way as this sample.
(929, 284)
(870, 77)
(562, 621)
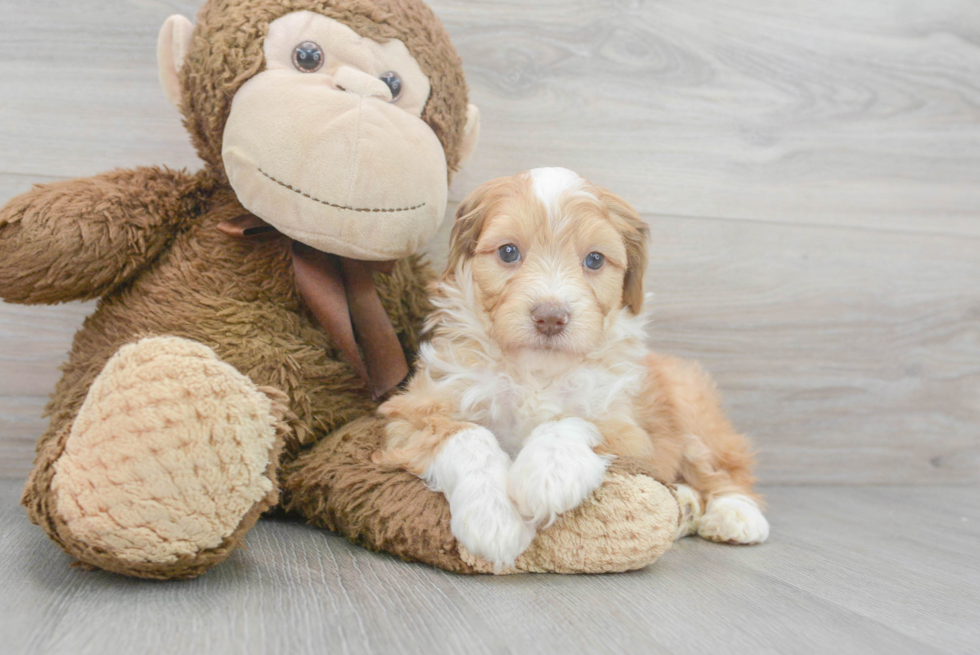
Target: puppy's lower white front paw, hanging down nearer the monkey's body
(488, 525)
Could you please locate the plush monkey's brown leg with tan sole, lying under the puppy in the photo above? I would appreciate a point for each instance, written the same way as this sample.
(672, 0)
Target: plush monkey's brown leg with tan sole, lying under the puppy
(626, 524)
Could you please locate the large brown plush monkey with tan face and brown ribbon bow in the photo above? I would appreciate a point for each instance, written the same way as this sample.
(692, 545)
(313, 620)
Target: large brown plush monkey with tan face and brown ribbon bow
(252, 313)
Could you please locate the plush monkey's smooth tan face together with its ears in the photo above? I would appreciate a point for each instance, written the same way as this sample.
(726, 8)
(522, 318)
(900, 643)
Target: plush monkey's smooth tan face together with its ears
(328, 141)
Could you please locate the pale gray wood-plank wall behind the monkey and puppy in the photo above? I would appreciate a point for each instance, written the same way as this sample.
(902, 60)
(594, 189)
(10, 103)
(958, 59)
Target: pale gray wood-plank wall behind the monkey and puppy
(810, 171)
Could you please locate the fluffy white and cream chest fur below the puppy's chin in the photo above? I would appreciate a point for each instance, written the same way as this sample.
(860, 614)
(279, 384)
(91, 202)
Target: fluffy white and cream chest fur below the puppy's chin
(512, 393)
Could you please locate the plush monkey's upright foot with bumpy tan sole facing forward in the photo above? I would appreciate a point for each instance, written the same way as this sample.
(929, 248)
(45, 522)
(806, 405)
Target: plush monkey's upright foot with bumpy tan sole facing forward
(170, 460)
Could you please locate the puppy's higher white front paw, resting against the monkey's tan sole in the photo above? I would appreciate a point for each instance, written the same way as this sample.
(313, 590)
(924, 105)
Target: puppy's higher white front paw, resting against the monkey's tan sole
(556, 470)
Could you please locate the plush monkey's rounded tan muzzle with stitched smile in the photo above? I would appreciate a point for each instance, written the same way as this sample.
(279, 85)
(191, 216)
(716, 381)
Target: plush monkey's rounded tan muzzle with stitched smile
(343, 173)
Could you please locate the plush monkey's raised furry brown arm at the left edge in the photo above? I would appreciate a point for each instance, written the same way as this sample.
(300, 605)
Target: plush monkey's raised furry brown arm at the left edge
(79, 239)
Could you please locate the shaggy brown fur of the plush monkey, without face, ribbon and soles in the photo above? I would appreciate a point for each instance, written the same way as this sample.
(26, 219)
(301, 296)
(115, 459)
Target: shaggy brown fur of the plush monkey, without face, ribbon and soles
(146, 242)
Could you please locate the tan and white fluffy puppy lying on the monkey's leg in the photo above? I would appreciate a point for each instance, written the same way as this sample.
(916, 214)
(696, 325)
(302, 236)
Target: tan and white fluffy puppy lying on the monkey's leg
(537, 352)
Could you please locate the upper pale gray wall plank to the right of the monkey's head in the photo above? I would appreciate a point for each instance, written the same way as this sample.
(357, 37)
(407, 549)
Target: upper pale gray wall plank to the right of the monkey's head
(834, 112)
